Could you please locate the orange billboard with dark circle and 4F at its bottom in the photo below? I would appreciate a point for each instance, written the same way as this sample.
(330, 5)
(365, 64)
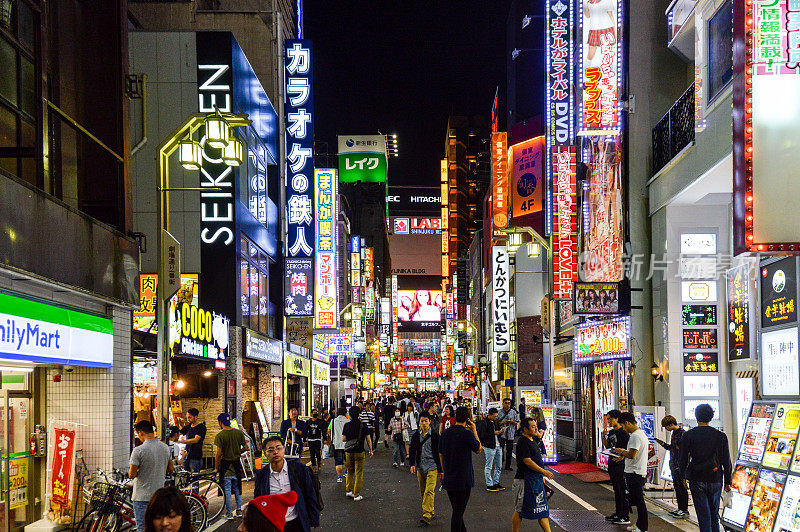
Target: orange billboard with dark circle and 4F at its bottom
(527, 177)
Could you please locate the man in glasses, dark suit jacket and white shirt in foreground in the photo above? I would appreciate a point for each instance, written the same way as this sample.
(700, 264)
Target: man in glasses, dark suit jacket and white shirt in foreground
(282, 476)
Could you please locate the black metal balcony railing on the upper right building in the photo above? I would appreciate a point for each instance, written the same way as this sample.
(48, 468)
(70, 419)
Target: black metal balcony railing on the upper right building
(674, 131)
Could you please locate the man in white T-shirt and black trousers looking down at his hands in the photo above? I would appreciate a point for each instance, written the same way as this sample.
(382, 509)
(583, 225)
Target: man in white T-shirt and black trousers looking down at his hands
(635, 467)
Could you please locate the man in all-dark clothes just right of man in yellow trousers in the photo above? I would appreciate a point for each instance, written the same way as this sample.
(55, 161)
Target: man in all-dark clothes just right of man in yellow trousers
(456, 446)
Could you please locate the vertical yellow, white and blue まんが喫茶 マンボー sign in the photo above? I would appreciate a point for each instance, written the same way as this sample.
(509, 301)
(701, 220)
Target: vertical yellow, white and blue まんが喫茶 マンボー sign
(325, 292)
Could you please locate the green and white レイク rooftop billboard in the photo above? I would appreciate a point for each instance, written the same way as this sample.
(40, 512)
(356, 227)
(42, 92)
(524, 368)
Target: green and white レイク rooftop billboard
(362, 158)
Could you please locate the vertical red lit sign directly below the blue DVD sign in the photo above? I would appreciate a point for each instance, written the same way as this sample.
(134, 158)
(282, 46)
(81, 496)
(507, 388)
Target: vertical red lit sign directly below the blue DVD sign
(565, 237)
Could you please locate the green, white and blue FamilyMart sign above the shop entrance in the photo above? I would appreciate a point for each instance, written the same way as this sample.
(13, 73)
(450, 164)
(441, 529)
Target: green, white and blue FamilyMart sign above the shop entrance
(38, 332)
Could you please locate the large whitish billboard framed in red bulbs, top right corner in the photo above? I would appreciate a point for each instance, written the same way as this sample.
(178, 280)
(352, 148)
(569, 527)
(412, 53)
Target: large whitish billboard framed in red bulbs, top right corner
(766, 126)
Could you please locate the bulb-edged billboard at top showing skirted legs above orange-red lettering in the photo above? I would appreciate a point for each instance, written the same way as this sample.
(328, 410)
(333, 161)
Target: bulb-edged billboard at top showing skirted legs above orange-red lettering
(600, 66)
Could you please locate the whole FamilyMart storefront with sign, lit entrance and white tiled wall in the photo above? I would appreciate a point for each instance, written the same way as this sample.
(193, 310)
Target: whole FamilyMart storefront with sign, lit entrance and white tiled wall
(62, 366)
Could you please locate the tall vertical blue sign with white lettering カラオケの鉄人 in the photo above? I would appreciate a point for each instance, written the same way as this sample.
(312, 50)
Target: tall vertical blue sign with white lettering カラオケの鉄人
(299, 149)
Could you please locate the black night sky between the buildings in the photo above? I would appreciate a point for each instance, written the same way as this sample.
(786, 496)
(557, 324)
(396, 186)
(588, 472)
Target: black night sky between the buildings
(403, 67)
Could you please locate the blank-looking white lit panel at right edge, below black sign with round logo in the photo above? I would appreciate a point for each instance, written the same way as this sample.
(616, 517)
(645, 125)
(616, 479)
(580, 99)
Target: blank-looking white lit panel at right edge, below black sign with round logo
(779, 363)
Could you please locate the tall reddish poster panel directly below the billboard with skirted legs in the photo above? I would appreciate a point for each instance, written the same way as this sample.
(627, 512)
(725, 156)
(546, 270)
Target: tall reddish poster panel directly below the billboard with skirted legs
(602, 259)
